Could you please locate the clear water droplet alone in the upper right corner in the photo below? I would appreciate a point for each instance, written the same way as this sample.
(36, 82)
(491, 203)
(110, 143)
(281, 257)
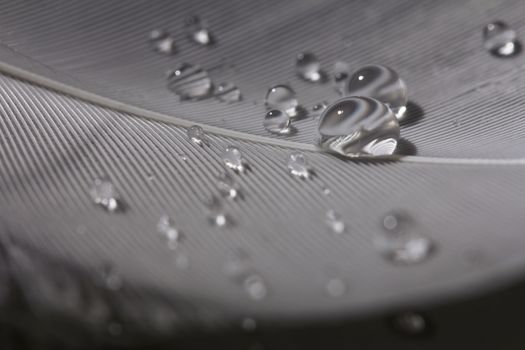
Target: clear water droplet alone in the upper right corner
(501, 40)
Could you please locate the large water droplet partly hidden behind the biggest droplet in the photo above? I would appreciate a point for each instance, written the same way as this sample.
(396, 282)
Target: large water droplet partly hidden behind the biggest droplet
(380, 83)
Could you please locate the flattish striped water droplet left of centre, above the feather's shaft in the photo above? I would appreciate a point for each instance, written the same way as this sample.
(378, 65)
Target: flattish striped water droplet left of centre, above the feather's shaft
(189, 82)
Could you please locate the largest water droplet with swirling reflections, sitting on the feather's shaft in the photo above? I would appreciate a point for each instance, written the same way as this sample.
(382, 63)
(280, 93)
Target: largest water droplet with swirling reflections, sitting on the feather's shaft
(359, 127)
